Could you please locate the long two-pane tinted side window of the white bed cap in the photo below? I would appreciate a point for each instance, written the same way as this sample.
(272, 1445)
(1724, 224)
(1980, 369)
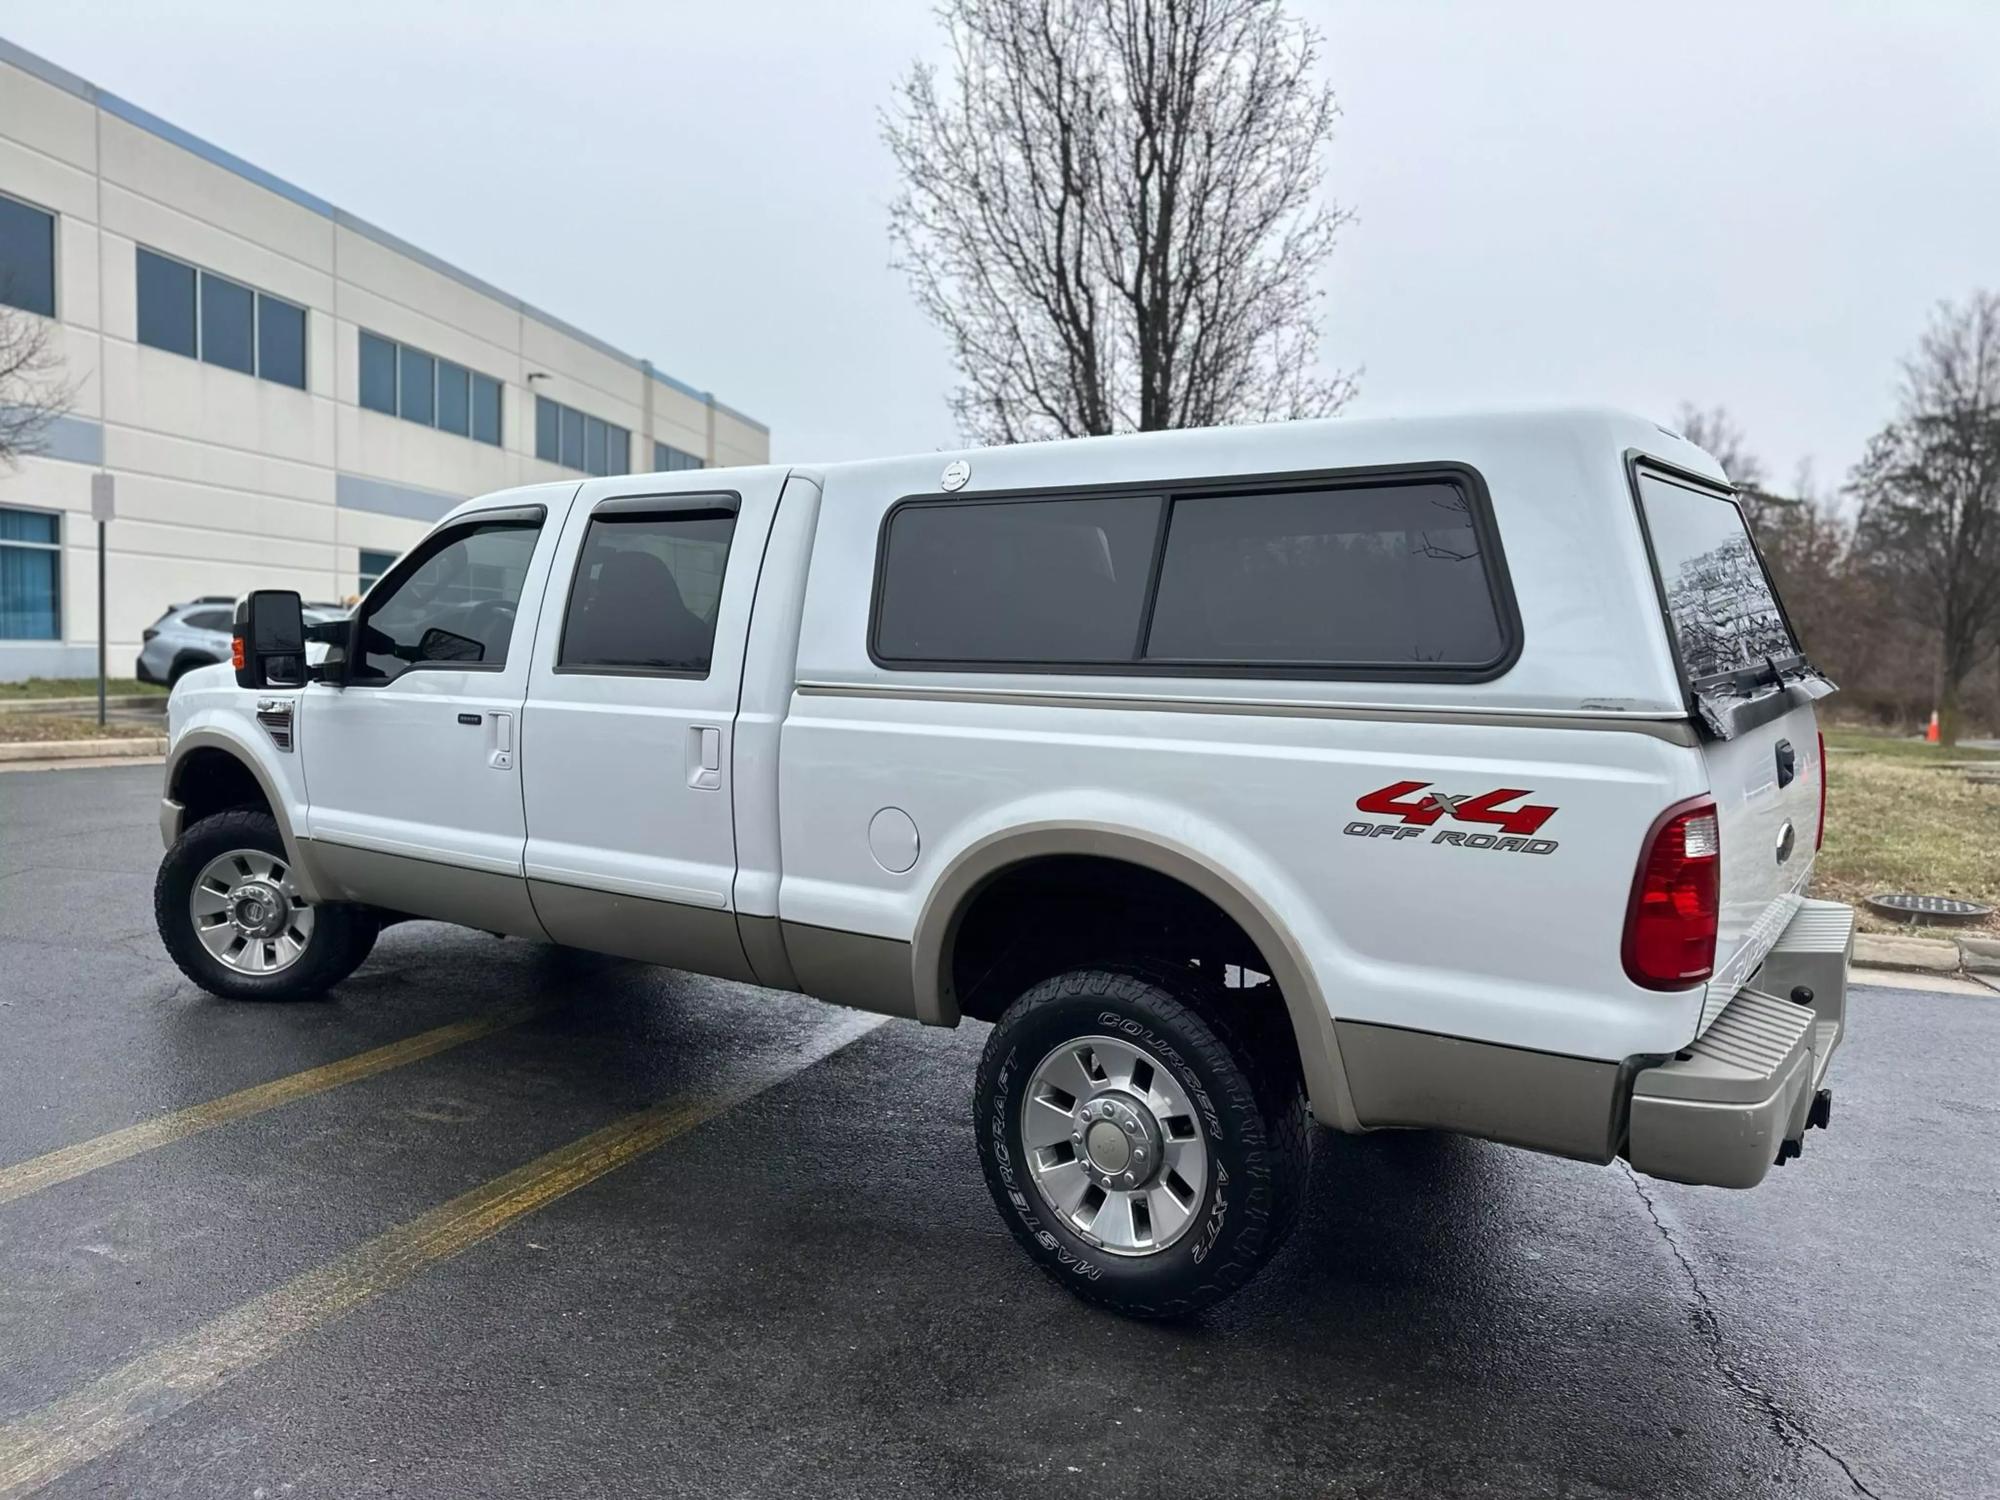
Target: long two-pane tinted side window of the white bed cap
(1311, 579)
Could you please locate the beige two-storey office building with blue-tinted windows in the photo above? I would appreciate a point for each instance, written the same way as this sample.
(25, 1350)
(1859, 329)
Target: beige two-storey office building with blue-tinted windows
(287, 397)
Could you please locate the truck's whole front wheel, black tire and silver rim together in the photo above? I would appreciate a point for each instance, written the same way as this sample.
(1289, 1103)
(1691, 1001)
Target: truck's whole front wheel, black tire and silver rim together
(233, 919)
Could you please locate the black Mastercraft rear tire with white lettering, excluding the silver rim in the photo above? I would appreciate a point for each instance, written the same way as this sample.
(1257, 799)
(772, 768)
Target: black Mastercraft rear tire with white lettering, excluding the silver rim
(1257, 1125)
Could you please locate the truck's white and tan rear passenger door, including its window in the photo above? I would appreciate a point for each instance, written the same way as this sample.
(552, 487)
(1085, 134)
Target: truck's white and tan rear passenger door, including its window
(629, 729)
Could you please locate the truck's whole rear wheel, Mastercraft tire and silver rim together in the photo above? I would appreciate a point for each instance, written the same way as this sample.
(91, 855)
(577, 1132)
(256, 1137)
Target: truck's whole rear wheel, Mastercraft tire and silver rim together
(1143, 1151)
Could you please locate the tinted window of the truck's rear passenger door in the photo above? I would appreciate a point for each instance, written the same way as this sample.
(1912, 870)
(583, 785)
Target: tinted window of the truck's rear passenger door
(647, 593)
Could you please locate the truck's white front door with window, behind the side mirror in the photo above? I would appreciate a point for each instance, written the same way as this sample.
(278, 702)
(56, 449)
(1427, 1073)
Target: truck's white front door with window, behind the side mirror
(415, 763)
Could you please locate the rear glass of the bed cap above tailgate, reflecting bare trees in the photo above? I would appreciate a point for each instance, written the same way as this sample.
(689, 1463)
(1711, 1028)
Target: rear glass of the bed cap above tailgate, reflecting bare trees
(1719, 601)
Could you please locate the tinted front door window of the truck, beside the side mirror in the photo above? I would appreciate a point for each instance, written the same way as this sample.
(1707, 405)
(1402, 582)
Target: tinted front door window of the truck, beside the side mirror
(455, 607)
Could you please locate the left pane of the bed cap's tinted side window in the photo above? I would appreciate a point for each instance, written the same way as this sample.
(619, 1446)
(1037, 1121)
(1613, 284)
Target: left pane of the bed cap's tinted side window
(1017, 581)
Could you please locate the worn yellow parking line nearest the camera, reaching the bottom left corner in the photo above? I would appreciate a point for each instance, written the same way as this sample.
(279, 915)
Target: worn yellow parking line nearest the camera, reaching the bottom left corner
(119, 1407)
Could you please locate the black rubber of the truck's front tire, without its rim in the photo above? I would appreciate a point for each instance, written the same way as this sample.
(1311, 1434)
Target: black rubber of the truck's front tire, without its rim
(343, 935)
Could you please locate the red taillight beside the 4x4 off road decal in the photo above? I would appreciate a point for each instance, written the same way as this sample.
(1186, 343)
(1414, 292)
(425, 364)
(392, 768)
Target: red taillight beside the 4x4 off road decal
(1671, 927)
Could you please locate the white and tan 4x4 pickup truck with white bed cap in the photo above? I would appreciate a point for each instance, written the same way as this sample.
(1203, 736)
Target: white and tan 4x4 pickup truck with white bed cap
(1447, 775)
